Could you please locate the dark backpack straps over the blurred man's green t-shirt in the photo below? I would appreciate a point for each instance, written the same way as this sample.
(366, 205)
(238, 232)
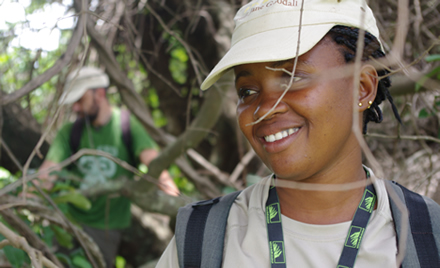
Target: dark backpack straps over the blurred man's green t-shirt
(78, 126)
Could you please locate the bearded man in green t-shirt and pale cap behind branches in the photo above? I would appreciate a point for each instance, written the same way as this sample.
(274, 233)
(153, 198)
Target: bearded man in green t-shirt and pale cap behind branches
(100, 127)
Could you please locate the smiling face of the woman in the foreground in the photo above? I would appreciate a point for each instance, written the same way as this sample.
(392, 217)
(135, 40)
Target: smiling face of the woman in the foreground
(310, 131)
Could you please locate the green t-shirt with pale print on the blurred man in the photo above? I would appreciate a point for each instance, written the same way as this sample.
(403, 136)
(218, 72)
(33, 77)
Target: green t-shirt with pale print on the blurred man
(107, 212)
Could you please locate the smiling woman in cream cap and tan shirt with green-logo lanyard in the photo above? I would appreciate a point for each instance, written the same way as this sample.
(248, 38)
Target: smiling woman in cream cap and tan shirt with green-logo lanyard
(305, 134)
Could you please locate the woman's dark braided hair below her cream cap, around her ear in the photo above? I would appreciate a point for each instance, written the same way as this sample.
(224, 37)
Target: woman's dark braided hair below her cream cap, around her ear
(348, 37)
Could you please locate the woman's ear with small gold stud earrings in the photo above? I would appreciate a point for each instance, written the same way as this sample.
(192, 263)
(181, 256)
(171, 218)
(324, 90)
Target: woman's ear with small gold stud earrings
(367, 86)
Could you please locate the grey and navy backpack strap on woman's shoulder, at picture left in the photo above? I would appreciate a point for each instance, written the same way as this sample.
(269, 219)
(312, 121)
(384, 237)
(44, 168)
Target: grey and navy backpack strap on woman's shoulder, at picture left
(200, 232)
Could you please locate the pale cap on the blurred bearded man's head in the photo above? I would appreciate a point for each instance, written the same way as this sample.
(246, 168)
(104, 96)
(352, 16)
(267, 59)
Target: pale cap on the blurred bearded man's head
(81, 80)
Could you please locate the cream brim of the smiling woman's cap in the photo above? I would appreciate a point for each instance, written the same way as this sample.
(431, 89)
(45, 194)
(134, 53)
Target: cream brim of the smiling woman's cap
(274, 45)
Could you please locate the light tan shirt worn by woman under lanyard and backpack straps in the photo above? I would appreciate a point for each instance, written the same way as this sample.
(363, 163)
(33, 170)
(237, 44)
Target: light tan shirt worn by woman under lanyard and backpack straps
(307, 245)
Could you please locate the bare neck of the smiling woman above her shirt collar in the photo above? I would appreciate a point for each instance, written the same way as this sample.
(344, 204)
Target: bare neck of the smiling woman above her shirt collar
(323, 207)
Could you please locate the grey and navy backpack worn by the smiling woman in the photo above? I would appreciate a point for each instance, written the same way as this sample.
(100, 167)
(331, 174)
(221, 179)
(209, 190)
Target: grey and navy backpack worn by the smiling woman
(201, 226)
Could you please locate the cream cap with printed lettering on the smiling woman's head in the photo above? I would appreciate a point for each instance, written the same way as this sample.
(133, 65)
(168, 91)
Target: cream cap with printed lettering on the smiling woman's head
(267, 30)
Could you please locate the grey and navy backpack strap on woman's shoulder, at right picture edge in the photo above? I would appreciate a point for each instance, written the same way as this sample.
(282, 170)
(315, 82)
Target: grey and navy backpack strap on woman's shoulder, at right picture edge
(421, 249)
